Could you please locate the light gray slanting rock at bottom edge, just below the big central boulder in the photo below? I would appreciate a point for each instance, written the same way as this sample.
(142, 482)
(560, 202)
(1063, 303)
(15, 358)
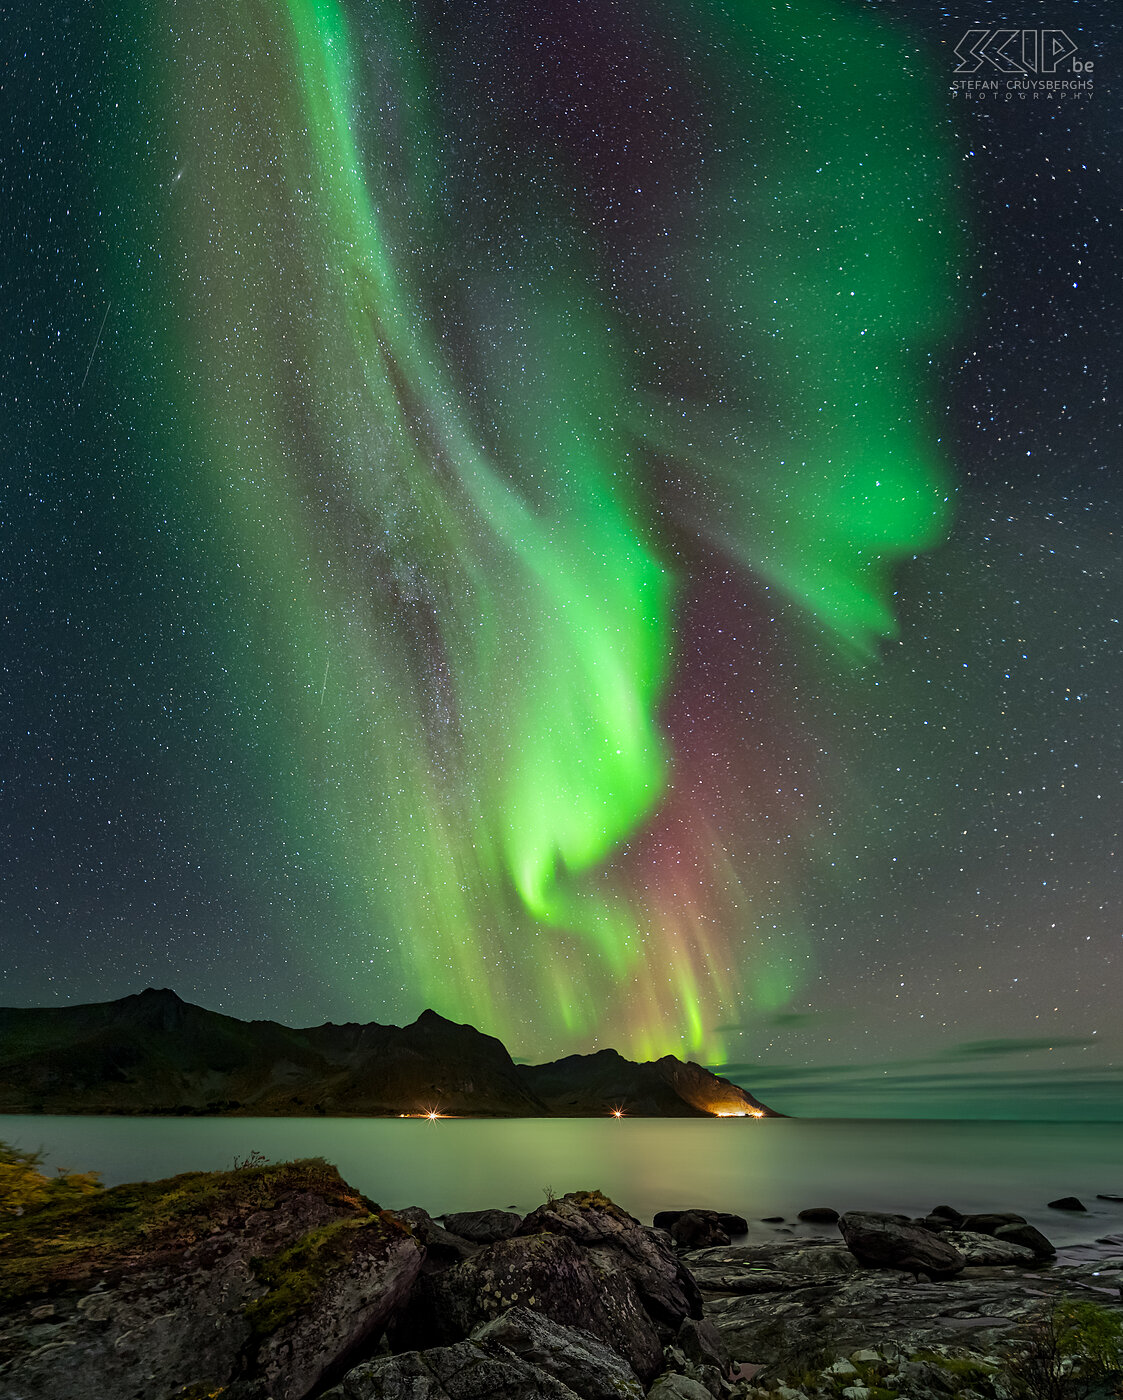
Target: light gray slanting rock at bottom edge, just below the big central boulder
(572, 1356)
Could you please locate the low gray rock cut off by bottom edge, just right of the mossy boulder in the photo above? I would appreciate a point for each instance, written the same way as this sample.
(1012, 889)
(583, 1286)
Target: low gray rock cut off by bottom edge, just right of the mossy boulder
(466, 1371)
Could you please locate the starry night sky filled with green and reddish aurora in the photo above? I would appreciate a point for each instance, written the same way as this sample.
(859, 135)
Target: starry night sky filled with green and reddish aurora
(600, 519)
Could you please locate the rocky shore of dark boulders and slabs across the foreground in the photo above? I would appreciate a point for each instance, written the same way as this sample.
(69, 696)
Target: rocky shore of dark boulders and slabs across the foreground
(282, 1283)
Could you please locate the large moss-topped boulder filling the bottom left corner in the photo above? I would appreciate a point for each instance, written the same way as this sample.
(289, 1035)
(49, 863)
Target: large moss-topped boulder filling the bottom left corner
(278, 1275)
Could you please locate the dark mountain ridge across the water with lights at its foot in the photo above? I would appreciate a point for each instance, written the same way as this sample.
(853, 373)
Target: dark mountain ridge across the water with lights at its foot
(155, 1053)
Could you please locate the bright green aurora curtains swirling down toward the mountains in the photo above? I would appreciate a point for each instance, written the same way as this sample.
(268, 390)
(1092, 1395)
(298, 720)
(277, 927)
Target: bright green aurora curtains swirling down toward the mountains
(436, 482)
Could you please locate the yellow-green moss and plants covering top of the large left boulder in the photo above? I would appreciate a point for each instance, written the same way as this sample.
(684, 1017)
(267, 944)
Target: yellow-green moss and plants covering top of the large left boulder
(75, 1237)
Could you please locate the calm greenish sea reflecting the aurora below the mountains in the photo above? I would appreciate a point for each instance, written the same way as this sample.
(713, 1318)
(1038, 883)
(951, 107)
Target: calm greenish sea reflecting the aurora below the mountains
(775, 1167)
